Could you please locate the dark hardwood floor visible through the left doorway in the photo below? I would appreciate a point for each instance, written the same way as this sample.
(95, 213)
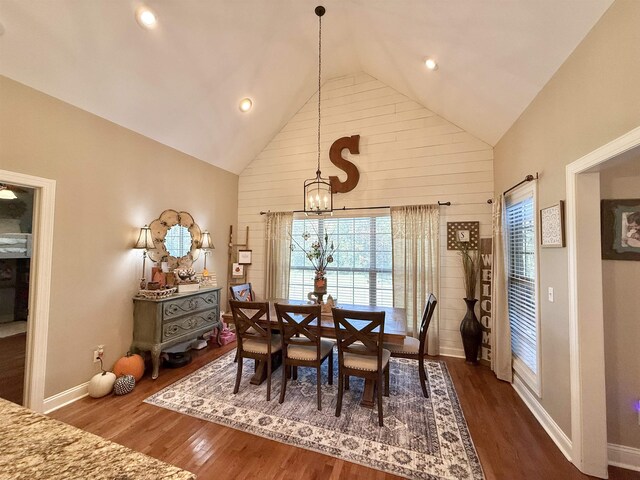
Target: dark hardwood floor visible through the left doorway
(12, 358)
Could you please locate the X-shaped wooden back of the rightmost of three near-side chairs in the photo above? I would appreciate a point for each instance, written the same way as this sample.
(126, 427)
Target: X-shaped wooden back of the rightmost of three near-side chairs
(352, 326)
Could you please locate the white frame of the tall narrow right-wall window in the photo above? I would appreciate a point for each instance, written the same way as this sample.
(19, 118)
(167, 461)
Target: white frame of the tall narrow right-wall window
(522, 370)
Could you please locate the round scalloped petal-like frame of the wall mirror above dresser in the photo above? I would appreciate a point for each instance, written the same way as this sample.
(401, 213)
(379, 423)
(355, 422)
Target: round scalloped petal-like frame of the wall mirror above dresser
(160, 227)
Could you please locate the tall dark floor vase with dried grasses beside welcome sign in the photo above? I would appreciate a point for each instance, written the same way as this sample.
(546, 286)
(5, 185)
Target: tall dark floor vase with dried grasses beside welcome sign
(470, 327)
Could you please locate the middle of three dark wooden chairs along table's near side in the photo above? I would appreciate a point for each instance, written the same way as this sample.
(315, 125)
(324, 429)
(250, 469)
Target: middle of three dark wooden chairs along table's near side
(302, 347)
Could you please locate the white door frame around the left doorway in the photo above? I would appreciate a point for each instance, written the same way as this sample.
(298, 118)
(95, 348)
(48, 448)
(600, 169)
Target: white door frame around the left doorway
(39, 284)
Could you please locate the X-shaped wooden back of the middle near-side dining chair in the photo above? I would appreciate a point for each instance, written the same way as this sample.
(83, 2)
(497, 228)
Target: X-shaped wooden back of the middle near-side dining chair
(294, 322)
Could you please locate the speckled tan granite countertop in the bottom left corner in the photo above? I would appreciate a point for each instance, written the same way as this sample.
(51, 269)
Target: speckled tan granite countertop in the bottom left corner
(34, 446)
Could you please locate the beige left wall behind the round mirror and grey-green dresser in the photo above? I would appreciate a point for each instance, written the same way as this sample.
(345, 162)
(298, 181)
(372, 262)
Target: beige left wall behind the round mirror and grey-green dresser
(110, 182)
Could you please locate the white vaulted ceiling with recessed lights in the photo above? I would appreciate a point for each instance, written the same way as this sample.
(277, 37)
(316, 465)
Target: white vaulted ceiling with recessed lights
(180, 84)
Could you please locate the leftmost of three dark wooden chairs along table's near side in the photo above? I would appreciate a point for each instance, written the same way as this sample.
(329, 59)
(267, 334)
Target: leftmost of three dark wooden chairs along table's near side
(254, 340)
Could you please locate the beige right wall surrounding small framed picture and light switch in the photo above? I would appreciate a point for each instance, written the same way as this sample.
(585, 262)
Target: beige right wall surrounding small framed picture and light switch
(592, 99)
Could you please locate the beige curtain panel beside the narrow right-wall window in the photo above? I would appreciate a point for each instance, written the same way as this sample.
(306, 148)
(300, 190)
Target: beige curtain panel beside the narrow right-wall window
(500, 330)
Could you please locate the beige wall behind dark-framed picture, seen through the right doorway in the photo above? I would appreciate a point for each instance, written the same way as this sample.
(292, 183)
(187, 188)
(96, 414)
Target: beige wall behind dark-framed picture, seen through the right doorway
(620, 280)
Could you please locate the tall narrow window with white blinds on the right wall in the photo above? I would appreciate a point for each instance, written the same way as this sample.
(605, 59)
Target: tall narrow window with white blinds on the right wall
(522, 291)
